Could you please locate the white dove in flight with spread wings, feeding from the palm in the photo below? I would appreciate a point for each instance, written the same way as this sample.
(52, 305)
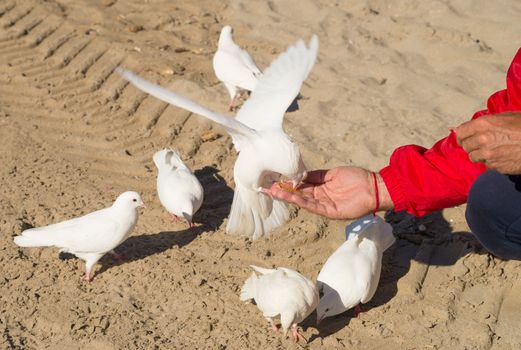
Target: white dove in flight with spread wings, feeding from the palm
(265, 151)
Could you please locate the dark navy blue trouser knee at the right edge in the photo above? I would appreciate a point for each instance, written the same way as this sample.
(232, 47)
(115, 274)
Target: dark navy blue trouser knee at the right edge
(494, 213)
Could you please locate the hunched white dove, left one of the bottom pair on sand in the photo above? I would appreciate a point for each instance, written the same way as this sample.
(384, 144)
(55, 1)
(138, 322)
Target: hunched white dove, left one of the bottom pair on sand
(282, 292)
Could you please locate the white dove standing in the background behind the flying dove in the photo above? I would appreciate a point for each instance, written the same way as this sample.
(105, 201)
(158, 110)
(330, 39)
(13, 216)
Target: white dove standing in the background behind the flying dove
(234, 66)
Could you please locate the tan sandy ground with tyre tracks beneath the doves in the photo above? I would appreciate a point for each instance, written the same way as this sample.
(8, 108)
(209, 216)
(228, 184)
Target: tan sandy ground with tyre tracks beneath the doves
(389, 73)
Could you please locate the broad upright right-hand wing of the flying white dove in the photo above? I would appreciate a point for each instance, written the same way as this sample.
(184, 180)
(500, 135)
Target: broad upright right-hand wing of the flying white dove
(278, 87)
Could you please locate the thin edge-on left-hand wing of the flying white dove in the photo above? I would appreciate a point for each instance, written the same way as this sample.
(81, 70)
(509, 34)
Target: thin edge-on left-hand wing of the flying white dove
(237, 130)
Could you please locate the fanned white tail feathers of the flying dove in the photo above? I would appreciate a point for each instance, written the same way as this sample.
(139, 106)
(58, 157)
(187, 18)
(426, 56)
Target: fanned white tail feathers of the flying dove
(254, 214)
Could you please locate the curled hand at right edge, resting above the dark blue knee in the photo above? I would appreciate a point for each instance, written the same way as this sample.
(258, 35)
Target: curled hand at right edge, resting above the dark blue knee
(494, 140)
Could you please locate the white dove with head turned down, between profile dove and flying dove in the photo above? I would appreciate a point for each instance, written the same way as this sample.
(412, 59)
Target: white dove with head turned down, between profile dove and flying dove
(179, 190)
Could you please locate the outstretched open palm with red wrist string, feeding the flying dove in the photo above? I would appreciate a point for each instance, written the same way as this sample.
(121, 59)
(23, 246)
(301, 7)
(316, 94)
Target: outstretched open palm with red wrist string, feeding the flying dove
(338, 193)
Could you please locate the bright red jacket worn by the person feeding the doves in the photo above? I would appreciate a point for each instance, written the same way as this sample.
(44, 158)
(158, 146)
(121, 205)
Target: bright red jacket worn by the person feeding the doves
(423, 180)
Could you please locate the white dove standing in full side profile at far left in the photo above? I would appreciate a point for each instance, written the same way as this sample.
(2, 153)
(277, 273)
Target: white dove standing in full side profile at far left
(90, 236)
